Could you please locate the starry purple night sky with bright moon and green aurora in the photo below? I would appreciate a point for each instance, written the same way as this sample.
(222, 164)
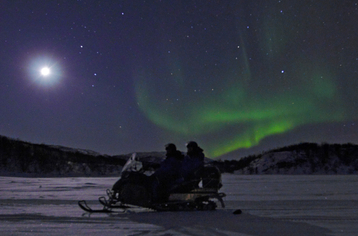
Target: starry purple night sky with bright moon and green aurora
(239, 77)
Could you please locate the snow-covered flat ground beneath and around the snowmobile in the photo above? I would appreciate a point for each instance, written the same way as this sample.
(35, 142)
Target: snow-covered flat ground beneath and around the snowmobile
(271, 204)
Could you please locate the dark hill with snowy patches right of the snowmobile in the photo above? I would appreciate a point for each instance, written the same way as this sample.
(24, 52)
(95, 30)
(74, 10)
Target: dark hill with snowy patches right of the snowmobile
(304, 158)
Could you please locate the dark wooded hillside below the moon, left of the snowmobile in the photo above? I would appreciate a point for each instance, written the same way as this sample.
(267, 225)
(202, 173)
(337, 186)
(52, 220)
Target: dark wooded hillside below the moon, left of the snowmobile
(22, 157)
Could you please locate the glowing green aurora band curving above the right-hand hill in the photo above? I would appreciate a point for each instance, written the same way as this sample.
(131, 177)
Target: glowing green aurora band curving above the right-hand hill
(250, 116)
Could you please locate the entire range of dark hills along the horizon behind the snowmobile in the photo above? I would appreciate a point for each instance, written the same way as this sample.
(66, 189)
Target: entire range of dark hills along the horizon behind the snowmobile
(19, 158)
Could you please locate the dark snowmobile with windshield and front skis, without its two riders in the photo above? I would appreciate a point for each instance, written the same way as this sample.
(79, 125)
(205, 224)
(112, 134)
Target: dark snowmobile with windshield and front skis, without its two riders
(134, 189)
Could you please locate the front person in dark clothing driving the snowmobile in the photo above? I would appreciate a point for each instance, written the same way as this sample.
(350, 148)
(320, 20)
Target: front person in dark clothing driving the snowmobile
(168, 174)
